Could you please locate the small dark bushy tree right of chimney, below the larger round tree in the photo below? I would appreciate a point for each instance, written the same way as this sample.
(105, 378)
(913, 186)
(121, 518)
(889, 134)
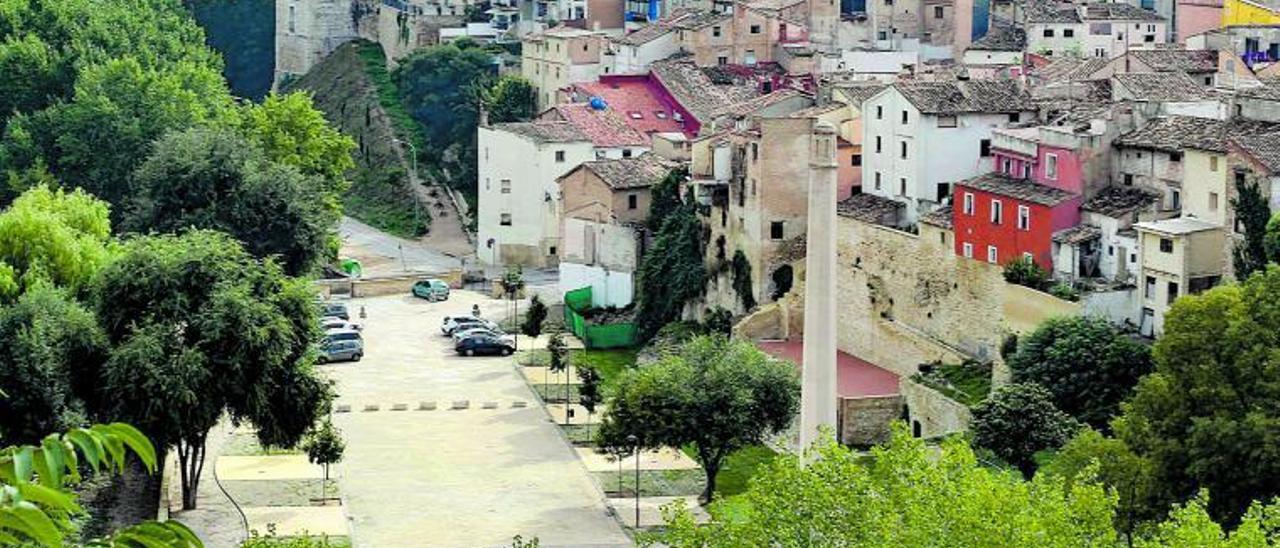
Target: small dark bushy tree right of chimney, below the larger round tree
(1020, 421)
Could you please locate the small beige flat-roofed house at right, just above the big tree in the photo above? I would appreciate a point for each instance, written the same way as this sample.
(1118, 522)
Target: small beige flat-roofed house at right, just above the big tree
(1177, 257)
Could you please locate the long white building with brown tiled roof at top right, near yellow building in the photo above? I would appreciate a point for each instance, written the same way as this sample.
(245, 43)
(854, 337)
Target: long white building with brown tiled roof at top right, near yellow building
(1103, 30)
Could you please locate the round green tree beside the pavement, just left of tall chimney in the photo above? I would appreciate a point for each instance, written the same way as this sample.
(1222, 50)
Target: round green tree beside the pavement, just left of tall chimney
(715, 394)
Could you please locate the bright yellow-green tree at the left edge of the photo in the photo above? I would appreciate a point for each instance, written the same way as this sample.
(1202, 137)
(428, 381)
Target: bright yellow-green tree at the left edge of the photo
(54, 238)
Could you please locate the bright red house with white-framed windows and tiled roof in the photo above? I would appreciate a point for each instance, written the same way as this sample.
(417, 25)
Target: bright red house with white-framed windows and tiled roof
(998, 220)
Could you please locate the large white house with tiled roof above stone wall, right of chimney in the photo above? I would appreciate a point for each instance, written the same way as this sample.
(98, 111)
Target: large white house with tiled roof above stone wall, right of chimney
(920, 138)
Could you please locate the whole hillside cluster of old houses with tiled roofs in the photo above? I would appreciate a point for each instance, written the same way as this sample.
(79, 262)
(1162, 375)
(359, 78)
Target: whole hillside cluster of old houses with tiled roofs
(1105, 143)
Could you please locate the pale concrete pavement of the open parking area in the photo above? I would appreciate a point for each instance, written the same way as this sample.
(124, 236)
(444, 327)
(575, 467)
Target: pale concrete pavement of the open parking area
(470, 477)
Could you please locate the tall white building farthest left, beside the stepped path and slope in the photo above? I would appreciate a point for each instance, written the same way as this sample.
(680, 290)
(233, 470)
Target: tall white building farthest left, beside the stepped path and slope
(519, 163)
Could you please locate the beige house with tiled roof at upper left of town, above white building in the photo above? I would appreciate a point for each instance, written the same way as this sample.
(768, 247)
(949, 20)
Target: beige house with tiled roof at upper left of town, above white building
(555, 60)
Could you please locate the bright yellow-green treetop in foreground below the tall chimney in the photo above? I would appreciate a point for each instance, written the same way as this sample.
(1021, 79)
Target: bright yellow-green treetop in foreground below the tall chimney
(904, 495)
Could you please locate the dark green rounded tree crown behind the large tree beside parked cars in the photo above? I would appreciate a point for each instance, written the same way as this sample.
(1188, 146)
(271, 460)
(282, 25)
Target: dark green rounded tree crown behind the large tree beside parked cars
(216, 180)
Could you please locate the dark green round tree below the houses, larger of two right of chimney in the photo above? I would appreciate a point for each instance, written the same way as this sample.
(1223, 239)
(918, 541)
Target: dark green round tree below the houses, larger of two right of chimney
(1086, 364)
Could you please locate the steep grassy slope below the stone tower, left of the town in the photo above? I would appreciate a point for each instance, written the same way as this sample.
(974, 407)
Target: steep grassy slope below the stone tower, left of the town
(346, 88)
